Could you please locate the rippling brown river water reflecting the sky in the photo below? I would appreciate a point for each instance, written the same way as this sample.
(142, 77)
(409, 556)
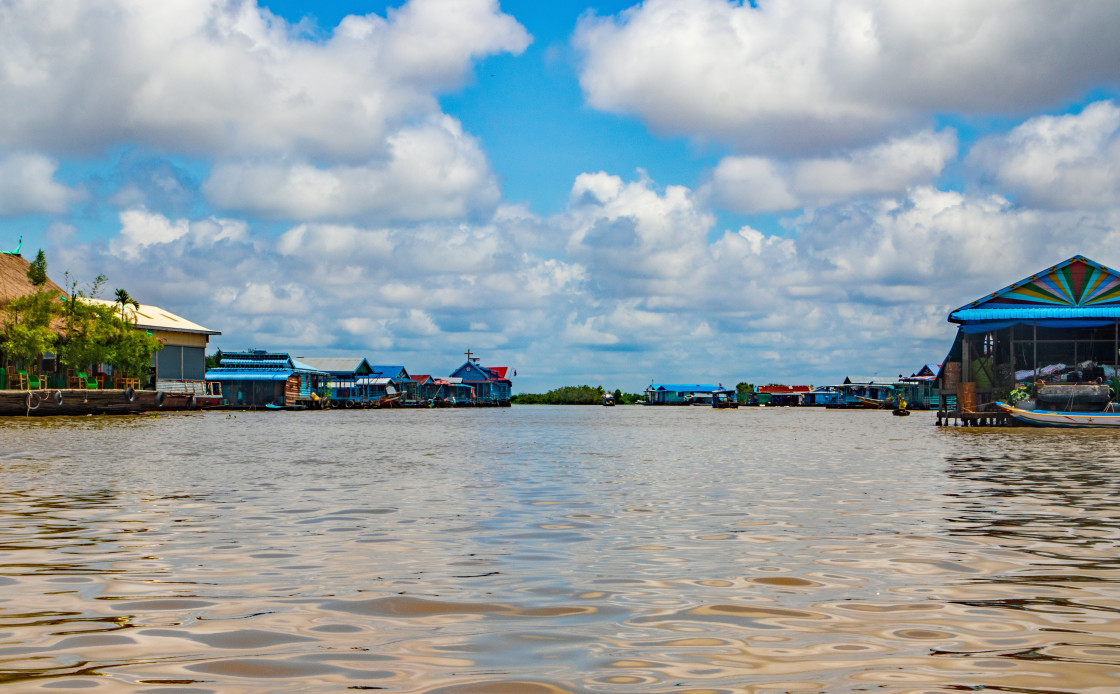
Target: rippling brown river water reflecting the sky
(544, 550)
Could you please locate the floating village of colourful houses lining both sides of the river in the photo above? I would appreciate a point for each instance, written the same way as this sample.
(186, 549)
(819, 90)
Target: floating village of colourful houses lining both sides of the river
(1044, 351)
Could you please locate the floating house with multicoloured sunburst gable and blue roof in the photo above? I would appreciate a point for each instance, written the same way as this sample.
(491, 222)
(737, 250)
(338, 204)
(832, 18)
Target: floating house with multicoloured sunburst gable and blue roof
(1059, 325)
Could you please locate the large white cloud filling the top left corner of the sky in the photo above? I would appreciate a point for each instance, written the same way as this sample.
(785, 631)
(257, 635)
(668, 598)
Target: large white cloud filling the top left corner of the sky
(228, 78)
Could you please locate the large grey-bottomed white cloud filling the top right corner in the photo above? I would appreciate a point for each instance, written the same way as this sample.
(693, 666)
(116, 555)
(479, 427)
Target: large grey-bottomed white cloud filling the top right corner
(782, 79)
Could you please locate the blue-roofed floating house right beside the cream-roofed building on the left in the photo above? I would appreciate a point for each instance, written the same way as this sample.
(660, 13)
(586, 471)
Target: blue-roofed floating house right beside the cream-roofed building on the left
(258, 379)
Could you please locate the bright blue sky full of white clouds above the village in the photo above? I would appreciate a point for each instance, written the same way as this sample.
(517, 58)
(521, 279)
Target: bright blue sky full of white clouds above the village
(590, 193)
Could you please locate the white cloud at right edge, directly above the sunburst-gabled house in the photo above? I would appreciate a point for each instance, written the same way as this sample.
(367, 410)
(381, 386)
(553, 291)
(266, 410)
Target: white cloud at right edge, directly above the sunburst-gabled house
(1060, 163)
